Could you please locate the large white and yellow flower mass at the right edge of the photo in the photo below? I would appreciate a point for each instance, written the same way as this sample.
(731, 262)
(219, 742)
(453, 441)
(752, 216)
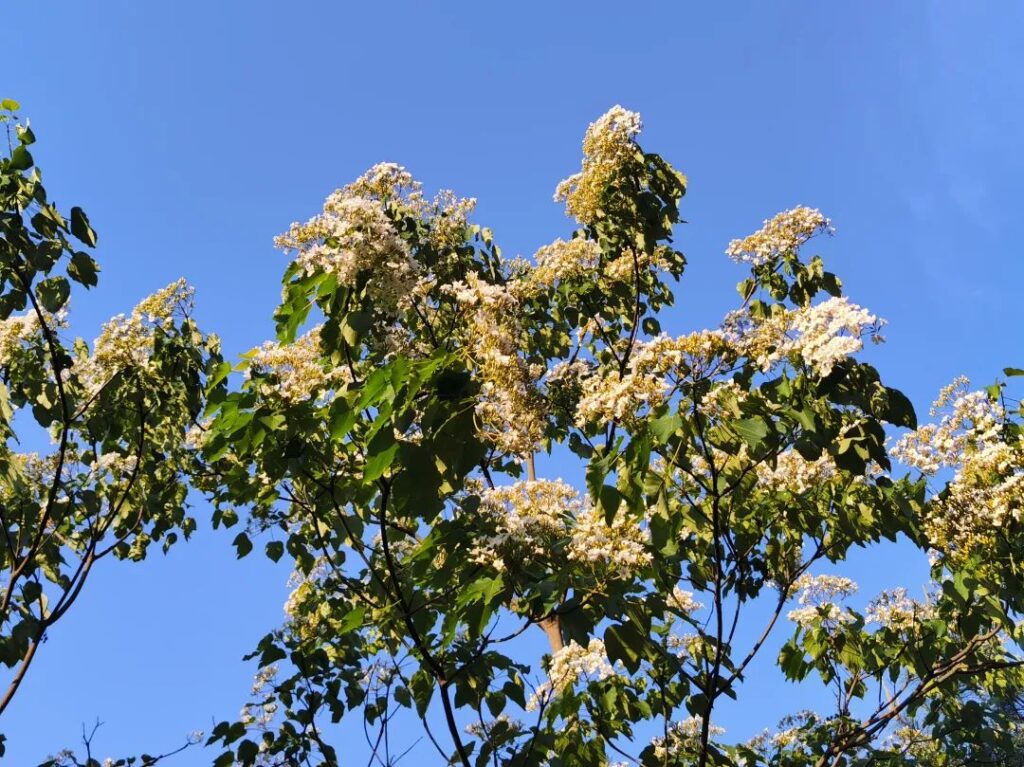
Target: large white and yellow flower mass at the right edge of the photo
(988, 488)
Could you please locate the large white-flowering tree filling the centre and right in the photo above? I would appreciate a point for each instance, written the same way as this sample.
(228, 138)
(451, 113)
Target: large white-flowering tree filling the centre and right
(388, 439)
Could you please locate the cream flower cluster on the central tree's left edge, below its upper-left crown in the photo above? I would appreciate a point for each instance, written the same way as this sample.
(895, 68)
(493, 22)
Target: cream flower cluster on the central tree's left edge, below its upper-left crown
(296, 371)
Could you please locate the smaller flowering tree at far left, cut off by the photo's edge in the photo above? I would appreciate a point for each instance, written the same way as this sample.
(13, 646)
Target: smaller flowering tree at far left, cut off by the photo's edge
(111, 420)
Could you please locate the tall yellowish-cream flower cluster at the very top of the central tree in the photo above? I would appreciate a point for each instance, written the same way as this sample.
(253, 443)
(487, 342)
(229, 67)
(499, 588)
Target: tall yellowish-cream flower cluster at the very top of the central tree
(608, 147)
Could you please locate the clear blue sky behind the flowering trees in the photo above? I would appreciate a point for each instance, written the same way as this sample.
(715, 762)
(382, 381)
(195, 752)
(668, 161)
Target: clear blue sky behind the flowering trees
(193, 133)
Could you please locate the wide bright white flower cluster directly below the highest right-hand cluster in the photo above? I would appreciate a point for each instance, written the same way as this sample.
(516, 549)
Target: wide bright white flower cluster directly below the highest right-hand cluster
(822, 335)
